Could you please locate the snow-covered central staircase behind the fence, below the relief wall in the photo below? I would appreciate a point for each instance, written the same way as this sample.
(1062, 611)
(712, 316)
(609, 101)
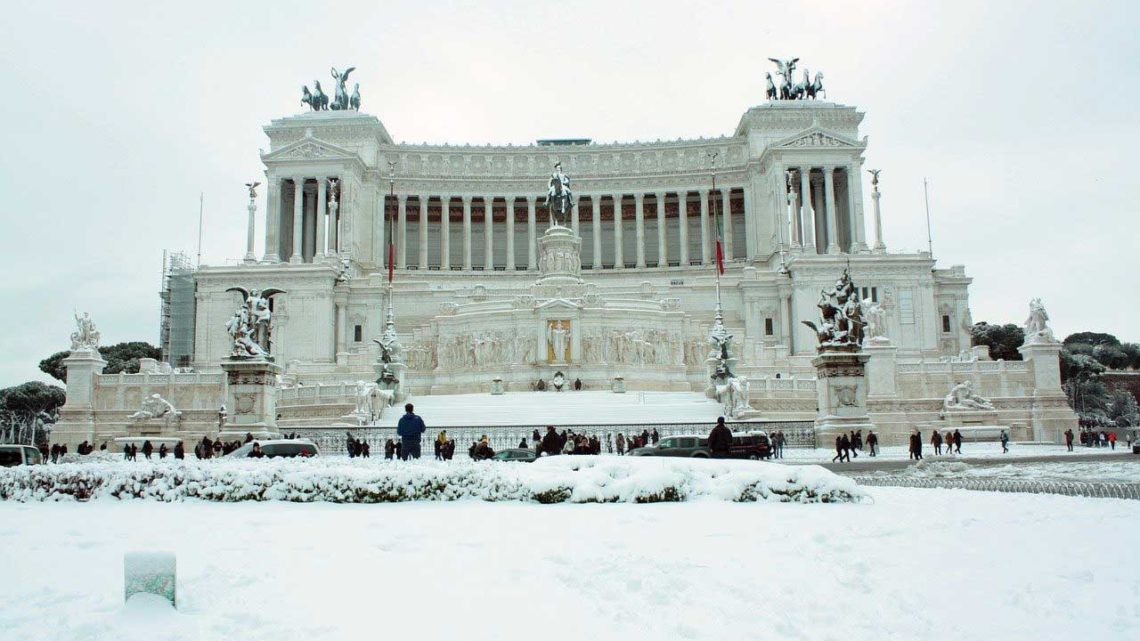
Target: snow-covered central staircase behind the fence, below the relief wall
(561, 409)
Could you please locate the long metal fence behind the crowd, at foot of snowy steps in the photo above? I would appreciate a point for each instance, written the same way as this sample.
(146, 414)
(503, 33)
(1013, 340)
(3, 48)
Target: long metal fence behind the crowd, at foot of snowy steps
(333, 440)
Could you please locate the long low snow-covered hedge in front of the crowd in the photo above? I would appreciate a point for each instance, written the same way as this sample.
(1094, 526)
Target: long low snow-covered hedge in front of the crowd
(560, 480)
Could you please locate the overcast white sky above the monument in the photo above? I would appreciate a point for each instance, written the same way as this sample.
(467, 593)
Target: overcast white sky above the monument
(117, 116)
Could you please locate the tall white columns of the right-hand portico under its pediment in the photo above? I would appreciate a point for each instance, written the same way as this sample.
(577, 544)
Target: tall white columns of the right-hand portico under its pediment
(824, 207)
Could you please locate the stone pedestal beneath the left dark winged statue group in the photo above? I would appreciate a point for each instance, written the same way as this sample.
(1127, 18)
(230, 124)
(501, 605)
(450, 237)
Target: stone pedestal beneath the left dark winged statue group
(251, 399)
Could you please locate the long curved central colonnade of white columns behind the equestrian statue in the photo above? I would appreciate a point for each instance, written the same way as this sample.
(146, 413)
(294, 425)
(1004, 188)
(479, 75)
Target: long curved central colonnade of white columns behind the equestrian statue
(498, 217)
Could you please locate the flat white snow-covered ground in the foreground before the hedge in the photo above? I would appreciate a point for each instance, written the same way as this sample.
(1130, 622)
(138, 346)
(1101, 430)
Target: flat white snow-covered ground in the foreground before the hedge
(926, 565)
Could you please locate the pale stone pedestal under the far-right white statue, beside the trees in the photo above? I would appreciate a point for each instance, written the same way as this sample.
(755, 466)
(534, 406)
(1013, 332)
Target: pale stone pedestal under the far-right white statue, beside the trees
(1051, 415)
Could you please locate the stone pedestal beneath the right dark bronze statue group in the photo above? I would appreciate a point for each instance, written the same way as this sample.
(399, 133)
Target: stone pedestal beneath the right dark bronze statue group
(842, 394)
